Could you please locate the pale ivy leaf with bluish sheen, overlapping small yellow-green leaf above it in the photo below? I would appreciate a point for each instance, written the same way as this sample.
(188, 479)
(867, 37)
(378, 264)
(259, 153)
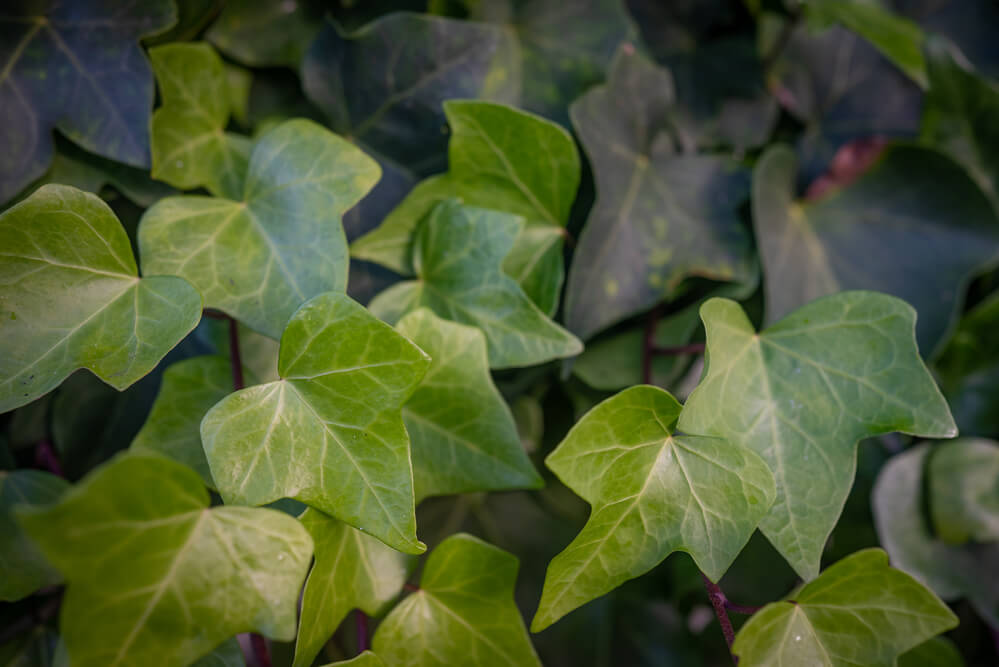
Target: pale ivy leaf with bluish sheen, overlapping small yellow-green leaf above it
(260, 258)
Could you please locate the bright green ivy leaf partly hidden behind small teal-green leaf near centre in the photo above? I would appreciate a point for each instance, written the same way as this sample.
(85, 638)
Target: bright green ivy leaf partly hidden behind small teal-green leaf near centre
(489, 168)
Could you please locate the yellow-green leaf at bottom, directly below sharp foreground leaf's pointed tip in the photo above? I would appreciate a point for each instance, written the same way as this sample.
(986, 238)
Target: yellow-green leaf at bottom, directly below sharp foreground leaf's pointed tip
(352, 571)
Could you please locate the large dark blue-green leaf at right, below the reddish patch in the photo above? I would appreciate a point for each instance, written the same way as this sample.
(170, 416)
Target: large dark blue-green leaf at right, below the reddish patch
(810, 249)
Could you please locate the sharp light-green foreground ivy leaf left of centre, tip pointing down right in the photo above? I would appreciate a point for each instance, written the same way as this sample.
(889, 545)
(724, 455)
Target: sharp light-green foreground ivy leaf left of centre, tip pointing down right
(329, 433)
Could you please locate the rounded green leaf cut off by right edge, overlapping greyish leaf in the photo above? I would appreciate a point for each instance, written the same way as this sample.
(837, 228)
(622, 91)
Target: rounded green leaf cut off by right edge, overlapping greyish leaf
(964, 491)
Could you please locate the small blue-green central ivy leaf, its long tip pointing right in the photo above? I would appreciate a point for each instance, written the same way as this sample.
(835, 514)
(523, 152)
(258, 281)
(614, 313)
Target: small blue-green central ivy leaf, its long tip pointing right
(457, 255)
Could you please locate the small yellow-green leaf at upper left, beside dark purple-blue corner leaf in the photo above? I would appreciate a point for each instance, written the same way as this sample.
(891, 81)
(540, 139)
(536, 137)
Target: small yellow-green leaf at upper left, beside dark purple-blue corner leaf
(189, 143)
